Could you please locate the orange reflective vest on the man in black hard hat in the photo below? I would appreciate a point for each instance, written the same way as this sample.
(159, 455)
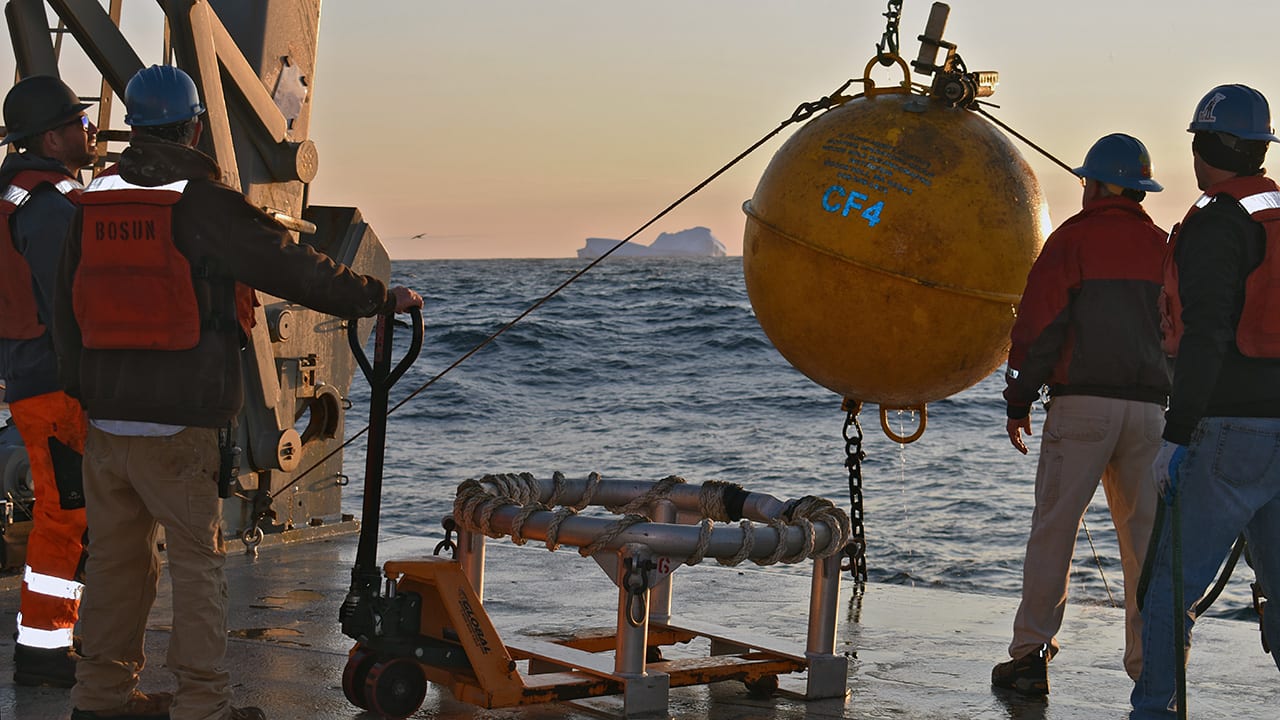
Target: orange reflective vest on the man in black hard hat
(20, 318)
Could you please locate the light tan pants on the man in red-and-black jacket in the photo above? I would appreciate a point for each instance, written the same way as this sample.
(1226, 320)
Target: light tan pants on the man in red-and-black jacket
(1085, 440)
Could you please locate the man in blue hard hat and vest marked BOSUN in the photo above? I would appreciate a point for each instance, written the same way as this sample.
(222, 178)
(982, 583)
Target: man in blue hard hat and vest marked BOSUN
(149, 343)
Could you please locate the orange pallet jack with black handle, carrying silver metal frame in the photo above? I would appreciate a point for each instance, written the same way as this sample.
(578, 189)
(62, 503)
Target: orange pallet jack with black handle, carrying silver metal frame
(424, 621)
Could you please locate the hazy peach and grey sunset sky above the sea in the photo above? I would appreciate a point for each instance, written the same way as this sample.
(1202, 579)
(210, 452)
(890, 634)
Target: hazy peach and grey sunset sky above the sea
(516, 129)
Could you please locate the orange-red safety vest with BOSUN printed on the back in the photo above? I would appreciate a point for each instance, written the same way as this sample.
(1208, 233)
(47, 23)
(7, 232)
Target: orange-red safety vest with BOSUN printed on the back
(134, 289)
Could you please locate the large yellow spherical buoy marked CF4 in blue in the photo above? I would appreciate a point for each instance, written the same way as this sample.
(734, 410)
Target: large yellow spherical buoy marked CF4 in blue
(888, 245)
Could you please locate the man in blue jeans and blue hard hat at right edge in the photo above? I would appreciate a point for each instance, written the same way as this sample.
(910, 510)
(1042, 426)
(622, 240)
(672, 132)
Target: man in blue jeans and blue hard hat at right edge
(1220, 459)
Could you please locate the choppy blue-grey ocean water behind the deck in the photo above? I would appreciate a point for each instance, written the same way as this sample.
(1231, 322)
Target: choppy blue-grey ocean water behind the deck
(646, 368)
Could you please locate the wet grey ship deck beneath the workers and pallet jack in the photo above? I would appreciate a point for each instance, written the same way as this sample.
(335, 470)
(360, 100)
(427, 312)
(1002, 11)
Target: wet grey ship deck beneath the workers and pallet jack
(915, 653)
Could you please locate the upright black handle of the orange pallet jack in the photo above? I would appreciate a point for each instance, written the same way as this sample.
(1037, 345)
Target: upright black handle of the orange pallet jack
(382, 376)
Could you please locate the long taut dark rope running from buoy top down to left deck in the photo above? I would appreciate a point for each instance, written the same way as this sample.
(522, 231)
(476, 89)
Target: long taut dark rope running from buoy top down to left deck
(804, 112)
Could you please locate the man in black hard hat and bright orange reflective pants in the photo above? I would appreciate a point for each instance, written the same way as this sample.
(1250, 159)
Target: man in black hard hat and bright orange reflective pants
(47, 122)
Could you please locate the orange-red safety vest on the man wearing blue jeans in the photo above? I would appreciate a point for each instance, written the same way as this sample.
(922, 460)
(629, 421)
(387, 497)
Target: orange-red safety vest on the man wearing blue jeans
(1259, 331)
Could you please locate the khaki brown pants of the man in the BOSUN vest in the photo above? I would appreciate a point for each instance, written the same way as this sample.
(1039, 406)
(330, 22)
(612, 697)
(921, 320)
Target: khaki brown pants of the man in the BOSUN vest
(134, 486)
